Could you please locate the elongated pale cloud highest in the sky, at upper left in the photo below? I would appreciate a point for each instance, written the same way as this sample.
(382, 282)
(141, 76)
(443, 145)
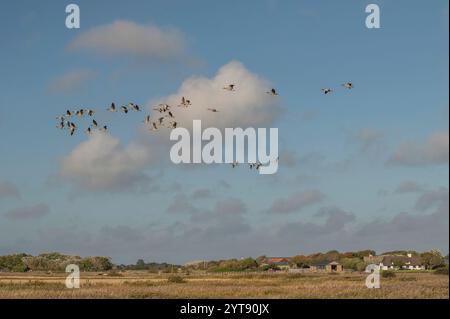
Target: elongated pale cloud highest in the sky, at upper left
(129, 38)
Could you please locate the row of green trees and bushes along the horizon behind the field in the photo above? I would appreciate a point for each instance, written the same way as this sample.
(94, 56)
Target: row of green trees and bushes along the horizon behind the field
(350, 260)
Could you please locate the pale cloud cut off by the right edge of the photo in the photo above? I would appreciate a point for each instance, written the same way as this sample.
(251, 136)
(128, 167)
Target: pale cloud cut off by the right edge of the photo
(433, 151)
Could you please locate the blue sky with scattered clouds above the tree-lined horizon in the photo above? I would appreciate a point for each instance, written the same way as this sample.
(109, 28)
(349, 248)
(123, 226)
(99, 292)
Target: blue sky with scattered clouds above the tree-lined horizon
(366, 168)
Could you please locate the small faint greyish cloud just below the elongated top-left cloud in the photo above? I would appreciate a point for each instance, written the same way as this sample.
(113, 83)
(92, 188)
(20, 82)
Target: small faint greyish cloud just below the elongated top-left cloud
(70, 81)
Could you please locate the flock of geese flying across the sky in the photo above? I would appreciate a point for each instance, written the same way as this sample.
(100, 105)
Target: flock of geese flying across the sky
(166, 118)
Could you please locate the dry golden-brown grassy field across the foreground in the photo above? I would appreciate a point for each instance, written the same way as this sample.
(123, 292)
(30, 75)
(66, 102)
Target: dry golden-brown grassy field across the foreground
(239, 285)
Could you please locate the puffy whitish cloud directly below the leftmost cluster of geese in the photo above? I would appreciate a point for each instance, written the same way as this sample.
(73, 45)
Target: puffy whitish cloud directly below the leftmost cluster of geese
(101, 163)
